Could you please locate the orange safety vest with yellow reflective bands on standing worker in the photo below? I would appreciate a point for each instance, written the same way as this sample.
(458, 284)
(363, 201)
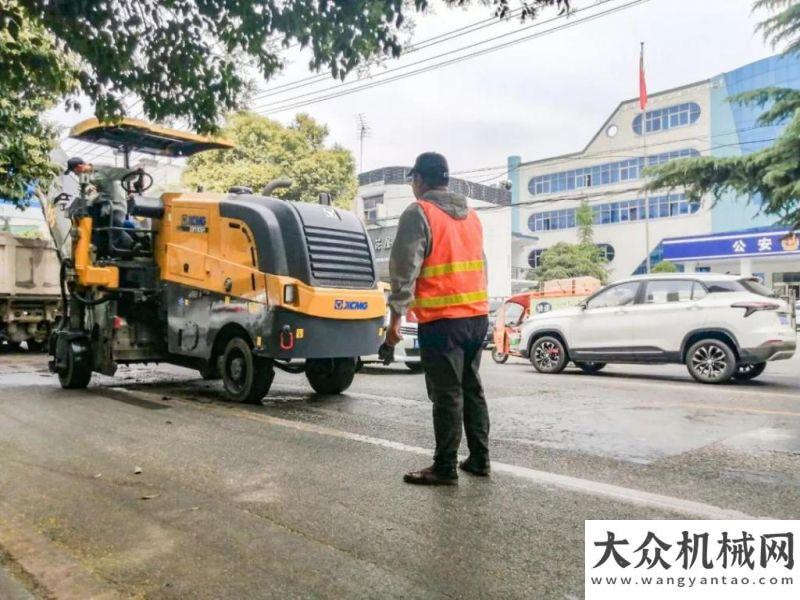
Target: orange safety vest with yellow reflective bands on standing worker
(452, 282)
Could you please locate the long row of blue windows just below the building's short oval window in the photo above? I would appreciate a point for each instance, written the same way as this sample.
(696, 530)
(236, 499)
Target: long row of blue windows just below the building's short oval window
(599, 175)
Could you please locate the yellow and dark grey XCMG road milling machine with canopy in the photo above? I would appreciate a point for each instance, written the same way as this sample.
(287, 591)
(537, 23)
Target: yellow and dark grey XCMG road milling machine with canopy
(234, 285)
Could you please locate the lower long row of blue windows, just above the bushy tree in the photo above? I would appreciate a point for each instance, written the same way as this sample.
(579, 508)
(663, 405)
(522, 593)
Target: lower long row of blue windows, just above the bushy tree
(625, 211)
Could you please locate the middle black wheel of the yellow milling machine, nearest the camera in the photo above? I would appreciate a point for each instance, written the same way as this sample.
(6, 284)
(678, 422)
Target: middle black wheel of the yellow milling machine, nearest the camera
(245, 376)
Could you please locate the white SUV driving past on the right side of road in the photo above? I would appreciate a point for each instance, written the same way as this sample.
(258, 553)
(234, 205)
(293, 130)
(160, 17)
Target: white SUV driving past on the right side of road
(719, 326)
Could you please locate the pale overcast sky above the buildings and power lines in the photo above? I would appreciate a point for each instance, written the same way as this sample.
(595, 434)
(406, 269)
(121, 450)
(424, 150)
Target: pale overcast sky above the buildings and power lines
(542, 97)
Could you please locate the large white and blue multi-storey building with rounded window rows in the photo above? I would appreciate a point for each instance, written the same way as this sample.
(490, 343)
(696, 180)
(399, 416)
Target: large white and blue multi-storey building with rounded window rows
(693, 120)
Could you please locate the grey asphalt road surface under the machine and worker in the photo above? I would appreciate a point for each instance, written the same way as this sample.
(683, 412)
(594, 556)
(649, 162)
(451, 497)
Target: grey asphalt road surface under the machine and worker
(303, 496)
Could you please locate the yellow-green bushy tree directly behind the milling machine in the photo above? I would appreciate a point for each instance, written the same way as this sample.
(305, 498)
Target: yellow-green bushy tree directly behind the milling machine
(266, 150)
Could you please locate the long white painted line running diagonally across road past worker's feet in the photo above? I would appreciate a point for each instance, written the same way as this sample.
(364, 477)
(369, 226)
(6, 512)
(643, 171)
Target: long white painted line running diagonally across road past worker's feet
(545, 478)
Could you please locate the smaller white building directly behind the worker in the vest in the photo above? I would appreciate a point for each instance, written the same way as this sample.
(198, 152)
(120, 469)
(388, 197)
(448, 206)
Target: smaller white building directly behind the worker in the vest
(383, 194)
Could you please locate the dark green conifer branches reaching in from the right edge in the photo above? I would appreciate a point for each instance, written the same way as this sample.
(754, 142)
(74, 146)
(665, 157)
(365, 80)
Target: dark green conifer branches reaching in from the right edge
(772, 173)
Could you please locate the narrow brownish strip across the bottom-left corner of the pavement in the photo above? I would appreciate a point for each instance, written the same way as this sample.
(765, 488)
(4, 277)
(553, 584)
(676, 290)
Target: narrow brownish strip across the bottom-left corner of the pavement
(50, 566)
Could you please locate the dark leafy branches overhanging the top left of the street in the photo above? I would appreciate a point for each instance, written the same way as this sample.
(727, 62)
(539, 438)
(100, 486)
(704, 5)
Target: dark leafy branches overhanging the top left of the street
(185, 59)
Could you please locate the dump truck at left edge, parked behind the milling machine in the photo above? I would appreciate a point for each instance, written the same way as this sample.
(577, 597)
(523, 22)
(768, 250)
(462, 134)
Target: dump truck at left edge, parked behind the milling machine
(29, 290)
